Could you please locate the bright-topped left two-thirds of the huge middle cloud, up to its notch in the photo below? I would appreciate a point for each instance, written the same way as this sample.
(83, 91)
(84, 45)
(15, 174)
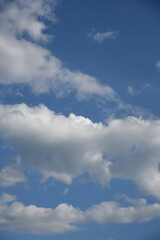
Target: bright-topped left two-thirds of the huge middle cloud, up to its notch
(62, 147)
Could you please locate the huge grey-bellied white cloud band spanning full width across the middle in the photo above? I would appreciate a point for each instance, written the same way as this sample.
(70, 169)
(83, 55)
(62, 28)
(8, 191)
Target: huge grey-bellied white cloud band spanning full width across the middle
(66, 147)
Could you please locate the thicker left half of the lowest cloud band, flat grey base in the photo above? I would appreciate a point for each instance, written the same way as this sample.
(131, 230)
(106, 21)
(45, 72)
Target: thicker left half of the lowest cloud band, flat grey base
(39, 220)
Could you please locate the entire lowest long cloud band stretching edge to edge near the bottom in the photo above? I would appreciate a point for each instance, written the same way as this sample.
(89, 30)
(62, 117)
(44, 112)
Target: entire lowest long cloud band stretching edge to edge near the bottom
(64, 217)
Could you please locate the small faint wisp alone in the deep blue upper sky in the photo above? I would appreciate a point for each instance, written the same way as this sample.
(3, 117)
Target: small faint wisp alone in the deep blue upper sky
(100, 37)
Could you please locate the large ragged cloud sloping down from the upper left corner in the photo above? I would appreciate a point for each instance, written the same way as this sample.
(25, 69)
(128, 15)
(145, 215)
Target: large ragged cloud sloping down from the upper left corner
(25, 61)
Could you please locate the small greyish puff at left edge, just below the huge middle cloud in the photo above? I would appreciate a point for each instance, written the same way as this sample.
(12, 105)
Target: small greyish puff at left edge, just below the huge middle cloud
(9, 176)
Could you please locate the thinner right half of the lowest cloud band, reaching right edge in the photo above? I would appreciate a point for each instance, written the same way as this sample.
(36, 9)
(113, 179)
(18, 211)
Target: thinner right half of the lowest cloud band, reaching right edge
(107, 212)
